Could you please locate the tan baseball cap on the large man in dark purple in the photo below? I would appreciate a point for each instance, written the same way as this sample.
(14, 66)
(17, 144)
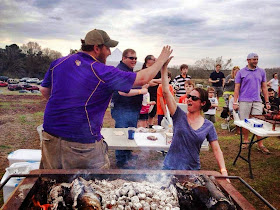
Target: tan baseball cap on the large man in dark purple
(98, 37)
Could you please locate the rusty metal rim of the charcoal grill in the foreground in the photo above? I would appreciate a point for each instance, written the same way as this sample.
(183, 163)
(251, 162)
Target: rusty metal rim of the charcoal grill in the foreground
(31, 185)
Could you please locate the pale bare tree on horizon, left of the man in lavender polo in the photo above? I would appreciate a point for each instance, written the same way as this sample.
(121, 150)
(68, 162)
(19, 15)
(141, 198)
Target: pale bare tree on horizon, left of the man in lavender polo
(210, 63)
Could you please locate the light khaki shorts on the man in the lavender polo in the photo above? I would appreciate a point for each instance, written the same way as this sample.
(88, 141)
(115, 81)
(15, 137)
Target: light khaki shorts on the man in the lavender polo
(249, 108)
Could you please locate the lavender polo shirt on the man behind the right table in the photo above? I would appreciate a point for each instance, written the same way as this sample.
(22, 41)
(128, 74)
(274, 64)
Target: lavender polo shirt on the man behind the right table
(250, 83)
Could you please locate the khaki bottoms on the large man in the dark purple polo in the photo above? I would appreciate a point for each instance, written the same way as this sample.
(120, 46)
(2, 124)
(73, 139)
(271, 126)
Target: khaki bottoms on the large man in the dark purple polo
(61, 154)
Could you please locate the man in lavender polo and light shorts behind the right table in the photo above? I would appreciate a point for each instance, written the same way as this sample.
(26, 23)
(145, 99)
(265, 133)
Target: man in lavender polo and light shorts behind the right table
(249, 83)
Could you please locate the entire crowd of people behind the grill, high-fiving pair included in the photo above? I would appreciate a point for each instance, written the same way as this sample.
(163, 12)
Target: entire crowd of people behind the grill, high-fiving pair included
(73, 117)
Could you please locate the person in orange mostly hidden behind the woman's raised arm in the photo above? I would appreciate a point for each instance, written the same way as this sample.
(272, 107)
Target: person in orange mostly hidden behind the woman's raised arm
(161, 103)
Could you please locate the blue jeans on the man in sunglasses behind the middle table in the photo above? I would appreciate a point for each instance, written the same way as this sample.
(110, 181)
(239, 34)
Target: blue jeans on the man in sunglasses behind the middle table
(124, 118)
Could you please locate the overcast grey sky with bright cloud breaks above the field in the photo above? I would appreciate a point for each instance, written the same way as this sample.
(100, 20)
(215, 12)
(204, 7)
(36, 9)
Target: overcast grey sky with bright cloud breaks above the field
(195, 29)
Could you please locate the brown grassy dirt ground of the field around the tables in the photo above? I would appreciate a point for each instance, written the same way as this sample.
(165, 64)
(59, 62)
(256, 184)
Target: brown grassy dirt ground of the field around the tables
(21, 114)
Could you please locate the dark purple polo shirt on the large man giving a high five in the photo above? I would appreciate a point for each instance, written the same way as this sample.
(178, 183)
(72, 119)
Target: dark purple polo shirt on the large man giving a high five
(81, 89)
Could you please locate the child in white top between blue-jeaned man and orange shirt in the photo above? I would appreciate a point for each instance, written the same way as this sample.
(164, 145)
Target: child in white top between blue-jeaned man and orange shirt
(146, 107)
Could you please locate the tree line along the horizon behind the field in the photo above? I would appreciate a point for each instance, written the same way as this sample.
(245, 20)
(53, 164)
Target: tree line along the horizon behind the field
(30, 60)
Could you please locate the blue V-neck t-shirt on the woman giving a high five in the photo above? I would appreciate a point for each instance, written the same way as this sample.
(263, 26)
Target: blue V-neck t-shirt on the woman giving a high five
(183, 153)
